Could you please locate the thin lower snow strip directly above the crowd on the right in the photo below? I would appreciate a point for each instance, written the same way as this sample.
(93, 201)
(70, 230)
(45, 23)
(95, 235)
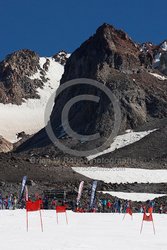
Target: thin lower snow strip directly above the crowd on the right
(134, 196)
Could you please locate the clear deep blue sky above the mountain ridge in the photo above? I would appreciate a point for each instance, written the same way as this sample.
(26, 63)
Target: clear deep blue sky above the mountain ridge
(47, 26)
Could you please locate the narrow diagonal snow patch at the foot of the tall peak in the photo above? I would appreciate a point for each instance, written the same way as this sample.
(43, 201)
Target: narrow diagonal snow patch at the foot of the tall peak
(123, 140)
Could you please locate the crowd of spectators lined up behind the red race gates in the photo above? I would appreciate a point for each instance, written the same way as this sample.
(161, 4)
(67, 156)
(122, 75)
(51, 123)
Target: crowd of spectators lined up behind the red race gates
(100, 205)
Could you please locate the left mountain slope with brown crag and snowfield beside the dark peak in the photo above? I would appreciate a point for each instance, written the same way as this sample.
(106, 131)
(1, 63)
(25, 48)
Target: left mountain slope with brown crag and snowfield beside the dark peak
(26, 83)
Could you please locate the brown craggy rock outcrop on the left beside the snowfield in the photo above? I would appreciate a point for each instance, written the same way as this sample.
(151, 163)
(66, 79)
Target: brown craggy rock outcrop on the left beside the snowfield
(14, 81)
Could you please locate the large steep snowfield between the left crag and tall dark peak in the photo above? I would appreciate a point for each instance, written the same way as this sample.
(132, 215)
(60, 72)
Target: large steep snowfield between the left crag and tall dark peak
(29, 116)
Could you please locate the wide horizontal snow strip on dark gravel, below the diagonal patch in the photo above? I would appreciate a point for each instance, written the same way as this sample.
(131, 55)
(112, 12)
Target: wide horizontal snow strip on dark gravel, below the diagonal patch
(124, 175)
